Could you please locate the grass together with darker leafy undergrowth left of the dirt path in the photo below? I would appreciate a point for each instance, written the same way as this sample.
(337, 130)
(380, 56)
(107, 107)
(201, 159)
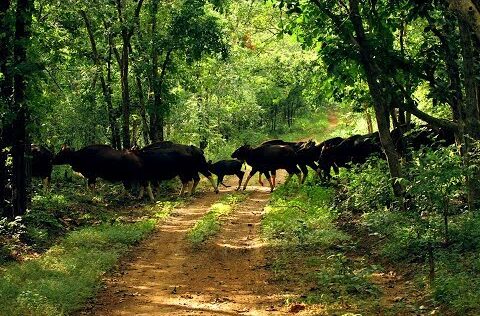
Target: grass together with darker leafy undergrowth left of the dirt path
(72, 238)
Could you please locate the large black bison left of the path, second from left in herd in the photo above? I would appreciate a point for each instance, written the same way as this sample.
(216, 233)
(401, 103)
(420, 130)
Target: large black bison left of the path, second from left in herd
(103, 161)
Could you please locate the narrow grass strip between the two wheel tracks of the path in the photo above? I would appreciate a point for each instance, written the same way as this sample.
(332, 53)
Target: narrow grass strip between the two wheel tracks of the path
(210, 223)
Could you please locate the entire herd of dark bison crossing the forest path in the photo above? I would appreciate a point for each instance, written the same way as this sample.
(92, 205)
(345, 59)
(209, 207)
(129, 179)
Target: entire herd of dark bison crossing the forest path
(167, 160)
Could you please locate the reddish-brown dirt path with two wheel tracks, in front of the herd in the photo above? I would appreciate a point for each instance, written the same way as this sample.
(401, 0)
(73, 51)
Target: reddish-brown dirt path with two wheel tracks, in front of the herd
(226, 276)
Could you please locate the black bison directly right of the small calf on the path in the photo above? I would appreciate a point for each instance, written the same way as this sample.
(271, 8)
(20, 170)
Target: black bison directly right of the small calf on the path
(263, 159)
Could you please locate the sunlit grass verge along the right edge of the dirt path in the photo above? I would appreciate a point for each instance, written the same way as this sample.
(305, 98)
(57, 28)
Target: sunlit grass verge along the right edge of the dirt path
(313, 255)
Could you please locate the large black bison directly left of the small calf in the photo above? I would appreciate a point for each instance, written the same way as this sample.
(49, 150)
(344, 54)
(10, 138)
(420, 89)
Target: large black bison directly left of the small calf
(166, 160)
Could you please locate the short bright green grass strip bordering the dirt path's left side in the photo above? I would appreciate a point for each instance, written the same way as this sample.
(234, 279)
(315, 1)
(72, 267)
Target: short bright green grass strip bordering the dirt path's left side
(66, 276)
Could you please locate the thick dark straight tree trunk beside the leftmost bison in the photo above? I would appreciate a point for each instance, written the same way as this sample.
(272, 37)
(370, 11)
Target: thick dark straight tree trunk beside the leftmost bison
(21, 147)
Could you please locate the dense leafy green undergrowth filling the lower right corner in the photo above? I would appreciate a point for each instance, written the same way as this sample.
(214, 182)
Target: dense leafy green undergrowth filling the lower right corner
(436, 239)
